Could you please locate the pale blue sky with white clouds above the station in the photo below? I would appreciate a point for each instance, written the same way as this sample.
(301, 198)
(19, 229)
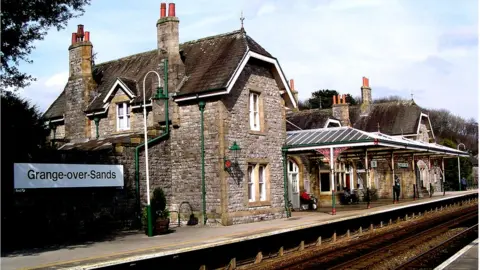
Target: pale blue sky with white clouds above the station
(427, 48)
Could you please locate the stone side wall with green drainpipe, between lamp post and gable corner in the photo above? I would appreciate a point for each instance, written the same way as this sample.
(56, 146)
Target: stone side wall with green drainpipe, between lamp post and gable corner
(186, 160)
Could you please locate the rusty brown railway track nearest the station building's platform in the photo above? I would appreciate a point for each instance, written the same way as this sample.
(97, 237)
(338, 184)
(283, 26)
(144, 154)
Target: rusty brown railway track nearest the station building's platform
(362, 251)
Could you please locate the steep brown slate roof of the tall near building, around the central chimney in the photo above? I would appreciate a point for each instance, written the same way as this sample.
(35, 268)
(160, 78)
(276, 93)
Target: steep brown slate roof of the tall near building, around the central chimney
(209, 64)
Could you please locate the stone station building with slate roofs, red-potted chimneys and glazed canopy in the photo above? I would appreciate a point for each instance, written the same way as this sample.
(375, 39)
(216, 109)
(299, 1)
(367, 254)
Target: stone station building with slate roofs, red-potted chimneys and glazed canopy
(230, 89)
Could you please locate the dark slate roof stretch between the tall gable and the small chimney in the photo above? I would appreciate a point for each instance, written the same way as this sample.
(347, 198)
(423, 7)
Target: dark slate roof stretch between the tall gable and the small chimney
(308, 119)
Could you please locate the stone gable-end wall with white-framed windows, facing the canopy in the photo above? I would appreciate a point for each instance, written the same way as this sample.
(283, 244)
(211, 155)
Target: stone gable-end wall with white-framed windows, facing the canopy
(262, 146)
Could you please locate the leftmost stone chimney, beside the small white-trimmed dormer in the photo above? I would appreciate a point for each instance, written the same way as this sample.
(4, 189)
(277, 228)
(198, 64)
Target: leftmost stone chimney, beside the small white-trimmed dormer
(80, 85)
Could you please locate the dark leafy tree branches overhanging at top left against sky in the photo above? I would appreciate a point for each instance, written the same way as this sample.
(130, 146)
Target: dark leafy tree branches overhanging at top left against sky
(25, 21)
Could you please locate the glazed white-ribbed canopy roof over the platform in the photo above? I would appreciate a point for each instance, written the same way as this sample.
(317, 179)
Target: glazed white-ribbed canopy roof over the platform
(313, 139)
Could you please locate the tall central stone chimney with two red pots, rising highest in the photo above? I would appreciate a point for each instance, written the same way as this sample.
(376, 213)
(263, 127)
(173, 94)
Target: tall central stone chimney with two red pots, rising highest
(168, 44)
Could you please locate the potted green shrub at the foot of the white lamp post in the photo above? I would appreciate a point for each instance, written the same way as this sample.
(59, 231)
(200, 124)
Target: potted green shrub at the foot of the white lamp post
(160, 212)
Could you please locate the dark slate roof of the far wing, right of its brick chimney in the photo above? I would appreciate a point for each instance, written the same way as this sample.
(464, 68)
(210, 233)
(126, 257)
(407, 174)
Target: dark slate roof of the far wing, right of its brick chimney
(393, 118)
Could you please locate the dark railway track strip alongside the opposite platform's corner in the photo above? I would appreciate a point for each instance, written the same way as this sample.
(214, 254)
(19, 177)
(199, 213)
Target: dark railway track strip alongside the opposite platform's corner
(439, 253)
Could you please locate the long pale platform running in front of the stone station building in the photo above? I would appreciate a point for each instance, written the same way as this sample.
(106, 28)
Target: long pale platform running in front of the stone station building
(133, 247)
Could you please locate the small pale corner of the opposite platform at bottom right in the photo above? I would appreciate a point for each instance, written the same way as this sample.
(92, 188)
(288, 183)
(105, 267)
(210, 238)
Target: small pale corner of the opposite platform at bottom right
(466, 258)
